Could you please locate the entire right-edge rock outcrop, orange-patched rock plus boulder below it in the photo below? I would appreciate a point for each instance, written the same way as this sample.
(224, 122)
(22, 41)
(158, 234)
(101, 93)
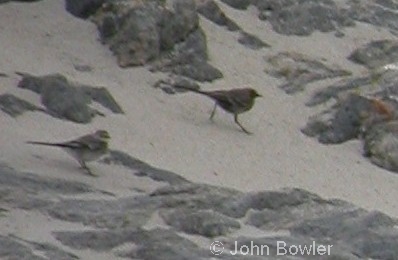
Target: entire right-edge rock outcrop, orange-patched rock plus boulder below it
(371, 118)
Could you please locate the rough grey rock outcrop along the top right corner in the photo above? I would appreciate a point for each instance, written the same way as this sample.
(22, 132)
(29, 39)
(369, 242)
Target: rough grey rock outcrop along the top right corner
(296, 17)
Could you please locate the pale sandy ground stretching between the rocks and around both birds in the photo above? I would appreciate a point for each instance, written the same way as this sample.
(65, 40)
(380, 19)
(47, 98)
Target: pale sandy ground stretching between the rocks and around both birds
(173, 132)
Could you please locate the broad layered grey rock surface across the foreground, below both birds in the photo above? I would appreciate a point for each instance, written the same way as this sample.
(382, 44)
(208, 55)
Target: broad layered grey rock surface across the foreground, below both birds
(294, 216)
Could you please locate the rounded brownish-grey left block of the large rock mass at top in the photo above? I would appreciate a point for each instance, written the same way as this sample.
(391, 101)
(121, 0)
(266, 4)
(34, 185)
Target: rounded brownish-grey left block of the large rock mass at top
(135, 39)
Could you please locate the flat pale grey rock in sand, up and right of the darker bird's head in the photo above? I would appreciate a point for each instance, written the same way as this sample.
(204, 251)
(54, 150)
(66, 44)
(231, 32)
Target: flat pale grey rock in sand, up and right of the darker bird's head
(298, 70)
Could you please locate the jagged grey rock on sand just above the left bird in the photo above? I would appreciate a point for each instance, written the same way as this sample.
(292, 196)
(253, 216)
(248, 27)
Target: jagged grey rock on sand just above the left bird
(66, 100)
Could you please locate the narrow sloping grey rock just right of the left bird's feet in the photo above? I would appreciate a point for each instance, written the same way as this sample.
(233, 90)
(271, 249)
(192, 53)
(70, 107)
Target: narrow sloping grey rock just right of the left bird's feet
(142, 169)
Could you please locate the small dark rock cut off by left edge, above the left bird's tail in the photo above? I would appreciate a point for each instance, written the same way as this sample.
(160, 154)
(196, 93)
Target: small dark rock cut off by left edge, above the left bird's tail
(15, 106)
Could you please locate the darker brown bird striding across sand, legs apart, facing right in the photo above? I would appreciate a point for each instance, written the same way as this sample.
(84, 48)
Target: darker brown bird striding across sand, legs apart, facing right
(234, 101)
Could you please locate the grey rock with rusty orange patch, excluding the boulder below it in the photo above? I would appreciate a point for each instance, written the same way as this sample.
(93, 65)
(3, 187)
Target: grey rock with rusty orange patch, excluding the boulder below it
(353, 114)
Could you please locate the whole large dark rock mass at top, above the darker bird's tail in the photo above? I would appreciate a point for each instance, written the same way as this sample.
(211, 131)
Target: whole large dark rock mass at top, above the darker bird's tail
(165, 35)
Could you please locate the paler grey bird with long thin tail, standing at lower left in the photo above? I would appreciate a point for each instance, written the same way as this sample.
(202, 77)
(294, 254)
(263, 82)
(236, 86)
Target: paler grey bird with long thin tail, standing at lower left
(86, 148)
